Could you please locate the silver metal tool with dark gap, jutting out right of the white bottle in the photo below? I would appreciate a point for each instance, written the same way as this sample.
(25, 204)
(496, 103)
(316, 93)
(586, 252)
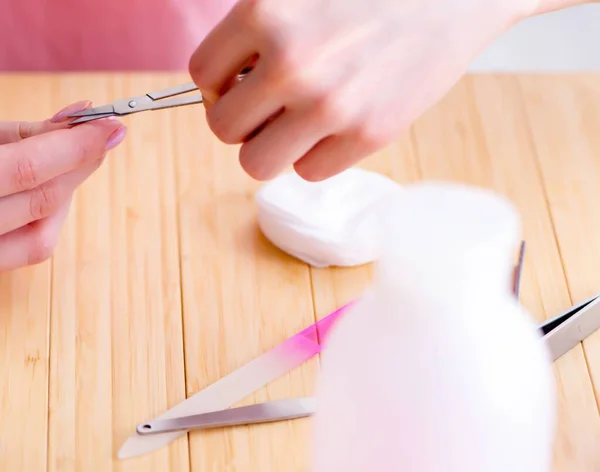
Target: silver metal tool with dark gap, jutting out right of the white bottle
(565, 331)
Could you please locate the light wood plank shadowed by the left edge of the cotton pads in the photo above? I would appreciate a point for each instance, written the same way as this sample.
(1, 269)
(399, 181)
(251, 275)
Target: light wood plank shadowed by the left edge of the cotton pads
(241, 296)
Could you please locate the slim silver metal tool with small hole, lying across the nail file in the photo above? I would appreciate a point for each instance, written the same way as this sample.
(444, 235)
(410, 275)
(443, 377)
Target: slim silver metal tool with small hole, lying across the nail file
(253, 414)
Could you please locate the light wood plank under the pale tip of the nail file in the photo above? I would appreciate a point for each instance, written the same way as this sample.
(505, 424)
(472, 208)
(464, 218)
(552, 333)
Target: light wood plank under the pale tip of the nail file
(116, 338)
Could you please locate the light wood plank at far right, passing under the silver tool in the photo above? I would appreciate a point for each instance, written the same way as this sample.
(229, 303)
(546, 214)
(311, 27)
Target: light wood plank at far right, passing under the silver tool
(567, 144)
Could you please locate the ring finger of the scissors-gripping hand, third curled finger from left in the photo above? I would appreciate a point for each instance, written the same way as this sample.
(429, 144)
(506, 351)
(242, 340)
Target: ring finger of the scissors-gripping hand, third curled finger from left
(281, 143)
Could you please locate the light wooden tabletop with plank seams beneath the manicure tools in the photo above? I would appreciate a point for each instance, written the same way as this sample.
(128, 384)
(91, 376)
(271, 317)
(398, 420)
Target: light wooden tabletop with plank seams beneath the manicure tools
(162, 283)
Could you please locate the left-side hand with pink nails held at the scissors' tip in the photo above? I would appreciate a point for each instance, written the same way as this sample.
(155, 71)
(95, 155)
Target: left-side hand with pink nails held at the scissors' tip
(41, 165)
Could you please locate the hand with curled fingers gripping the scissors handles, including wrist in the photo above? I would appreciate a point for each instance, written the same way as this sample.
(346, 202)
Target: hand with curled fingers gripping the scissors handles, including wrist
(335, 80)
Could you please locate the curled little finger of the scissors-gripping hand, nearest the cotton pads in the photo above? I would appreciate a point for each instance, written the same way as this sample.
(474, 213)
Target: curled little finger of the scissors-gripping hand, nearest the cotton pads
(333, 155)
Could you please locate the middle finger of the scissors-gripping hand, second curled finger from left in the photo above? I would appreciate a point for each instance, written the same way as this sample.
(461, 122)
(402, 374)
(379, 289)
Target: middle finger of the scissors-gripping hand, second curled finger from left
(252, 95)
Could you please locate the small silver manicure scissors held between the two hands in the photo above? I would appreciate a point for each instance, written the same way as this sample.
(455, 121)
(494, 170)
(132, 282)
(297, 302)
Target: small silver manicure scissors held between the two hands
(159, 100)
